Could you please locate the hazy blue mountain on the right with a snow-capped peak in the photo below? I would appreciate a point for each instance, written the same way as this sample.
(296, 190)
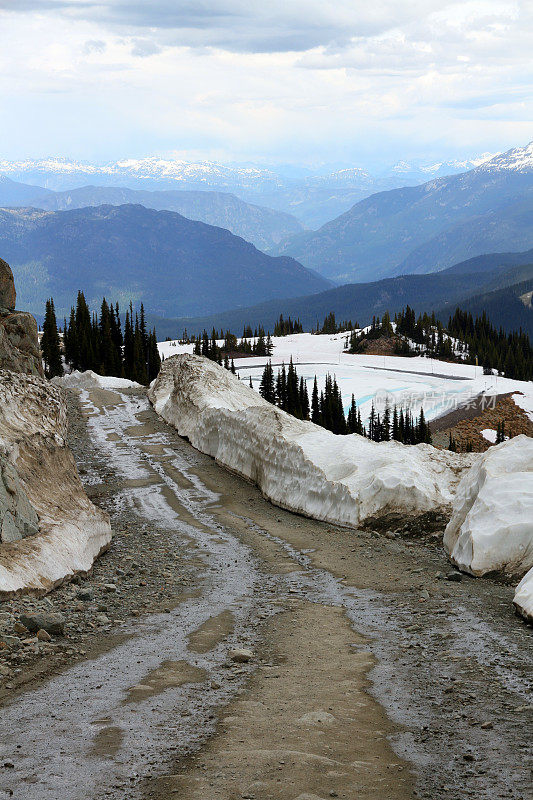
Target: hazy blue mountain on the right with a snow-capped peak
(420, 229)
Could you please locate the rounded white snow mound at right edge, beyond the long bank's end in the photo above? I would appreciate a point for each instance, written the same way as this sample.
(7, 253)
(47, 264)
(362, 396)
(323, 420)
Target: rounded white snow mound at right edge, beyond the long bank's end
(491, 528)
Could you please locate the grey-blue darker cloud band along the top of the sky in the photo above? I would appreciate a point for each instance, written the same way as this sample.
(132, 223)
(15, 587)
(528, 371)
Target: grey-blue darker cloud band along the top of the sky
(241, 25)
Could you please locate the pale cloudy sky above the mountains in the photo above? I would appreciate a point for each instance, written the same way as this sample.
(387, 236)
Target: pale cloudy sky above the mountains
(304, 82)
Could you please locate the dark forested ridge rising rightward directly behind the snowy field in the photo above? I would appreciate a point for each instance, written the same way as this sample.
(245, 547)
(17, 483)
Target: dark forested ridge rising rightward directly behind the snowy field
(478, 280)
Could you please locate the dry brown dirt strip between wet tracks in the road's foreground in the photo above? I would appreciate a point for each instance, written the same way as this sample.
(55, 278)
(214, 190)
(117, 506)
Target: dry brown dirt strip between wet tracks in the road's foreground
(306, 728)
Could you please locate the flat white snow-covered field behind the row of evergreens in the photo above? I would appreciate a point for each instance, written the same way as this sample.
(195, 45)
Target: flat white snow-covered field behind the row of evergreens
(437, 386)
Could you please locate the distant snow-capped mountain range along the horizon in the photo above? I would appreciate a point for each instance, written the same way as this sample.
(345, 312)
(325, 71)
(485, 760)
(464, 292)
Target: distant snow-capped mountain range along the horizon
(313, 199)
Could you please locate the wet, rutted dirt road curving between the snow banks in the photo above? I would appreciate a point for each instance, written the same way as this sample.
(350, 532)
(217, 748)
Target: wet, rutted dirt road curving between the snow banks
(370, 675)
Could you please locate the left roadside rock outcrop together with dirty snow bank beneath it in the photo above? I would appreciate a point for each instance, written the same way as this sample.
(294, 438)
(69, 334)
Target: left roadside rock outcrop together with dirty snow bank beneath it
(49, 529)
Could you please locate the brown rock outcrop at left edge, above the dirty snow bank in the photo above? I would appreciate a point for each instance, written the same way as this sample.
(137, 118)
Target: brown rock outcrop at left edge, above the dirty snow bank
(19, 346)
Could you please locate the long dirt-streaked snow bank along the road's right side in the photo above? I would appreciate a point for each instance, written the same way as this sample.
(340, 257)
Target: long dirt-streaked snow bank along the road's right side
(298, 465)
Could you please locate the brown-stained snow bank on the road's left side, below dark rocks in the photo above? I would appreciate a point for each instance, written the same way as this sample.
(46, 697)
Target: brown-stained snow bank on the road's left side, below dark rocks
(71, 530)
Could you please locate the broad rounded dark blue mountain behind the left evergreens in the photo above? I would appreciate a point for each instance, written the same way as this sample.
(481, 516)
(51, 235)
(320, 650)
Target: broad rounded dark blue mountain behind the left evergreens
(172, 264)
